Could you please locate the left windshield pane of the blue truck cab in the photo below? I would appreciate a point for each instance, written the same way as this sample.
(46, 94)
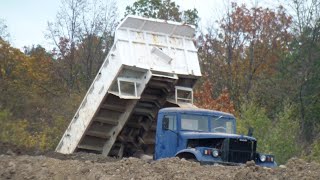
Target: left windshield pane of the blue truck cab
(194, 122)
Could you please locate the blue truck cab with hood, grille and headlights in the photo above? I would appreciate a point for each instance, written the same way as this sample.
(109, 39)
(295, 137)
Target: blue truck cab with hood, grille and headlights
(206, 136)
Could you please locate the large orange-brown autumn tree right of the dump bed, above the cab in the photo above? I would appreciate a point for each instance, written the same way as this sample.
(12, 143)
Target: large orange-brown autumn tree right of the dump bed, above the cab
(245, 49)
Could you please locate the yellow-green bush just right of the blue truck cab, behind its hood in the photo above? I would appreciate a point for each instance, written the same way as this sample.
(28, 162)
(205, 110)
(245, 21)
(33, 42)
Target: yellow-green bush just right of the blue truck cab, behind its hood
(277, 137)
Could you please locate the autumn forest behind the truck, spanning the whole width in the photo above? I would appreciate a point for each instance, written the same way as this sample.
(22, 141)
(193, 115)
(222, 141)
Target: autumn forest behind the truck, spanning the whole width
(260, 63)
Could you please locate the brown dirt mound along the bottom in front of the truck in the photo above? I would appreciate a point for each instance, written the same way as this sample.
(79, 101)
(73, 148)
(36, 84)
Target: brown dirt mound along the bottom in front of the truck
(90, 166)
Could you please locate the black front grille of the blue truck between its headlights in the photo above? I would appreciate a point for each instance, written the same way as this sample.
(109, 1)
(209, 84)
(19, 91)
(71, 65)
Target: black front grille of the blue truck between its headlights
(238, 151)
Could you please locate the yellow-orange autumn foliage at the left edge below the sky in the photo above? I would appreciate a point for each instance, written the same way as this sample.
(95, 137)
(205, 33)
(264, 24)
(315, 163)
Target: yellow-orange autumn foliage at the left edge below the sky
(32, 72)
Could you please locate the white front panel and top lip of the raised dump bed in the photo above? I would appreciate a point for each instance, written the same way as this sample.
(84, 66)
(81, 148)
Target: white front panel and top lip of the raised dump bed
(158, 45)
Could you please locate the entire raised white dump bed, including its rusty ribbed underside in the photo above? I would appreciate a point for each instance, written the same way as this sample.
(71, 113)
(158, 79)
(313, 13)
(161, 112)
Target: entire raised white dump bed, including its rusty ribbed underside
(152, 64)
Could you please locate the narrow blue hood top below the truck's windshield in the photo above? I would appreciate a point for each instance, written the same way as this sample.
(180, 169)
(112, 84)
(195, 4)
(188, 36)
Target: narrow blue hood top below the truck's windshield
(206, 135)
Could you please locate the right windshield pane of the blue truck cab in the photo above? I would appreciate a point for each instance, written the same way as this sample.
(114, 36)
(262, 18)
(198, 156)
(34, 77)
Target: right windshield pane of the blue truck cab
(223, 125)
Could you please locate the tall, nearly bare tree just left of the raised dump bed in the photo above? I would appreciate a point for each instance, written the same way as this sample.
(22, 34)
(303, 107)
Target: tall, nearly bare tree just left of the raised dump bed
(87, 25)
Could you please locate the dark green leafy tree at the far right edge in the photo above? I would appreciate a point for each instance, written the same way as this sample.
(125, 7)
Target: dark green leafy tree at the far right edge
(300, 73)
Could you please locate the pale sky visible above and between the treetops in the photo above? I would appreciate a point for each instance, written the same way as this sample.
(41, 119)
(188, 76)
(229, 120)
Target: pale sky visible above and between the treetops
(27, 19)
